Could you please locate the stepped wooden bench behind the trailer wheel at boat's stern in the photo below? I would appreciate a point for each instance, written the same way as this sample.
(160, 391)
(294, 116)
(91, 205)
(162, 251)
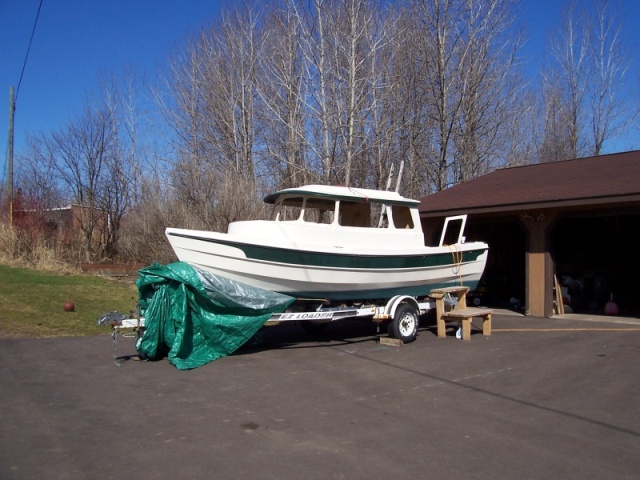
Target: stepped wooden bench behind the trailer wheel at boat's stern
(461, 313)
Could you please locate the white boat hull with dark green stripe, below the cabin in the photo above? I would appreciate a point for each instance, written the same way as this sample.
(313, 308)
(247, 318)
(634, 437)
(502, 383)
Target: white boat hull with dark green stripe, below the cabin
(329, 275)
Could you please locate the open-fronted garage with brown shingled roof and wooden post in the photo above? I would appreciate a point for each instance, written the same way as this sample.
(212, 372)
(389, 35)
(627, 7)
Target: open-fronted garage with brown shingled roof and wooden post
(575, 221)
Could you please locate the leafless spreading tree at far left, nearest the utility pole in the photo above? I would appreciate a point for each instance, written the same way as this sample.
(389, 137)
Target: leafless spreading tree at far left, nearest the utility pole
(90, 164)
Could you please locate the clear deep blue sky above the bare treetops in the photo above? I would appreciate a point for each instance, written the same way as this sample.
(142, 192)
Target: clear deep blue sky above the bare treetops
(76, 40)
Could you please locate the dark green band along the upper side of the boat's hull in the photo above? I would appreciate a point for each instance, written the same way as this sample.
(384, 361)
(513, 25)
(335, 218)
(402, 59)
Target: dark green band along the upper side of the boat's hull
(353, 261)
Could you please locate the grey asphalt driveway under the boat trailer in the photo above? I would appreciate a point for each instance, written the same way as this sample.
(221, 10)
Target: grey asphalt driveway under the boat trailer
(538, 399)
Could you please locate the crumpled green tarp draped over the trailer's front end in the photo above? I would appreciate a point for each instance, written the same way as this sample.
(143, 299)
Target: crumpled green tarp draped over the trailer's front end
(195, 317)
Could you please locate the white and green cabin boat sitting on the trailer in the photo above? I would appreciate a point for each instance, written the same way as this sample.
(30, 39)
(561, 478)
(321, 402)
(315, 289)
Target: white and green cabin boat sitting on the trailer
(336, 243)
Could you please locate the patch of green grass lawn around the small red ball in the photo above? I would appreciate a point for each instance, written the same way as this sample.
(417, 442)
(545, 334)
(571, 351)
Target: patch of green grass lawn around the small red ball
(32, 303)
